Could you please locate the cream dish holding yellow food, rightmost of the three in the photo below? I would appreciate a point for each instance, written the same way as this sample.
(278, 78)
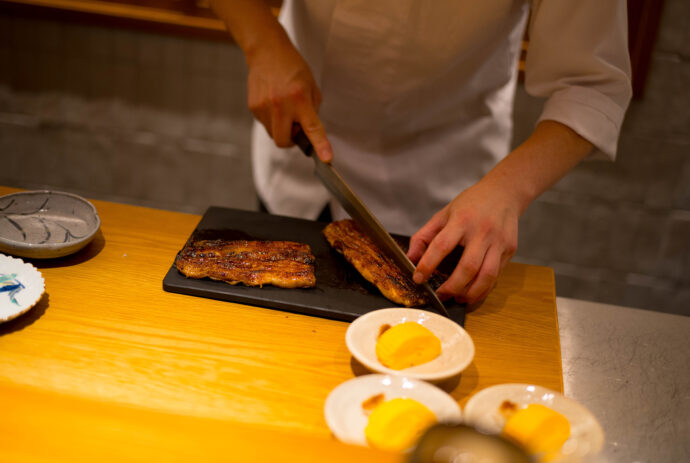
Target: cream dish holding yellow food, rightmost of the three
(586, 435)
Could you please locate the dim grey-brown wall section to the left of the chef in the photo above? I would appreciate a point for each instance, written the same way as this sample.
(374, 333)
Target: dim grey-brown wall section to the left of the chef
(124, 115)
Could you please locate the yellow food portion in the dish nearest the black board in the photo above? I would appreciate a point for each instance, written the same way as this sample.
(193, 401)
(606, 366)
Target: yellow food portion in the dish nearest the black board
(406, 345)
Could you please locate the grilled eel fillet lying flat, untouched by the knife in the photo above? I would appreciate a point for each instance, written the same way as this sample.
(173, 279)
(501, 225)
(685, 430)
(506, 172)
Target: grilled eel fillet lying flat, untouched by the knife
(286, 264)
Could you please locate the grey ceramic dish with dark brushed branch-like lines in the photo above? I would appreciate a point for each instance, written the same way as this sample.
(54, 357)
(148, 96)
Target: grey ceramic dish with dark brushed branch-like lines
(46, 224)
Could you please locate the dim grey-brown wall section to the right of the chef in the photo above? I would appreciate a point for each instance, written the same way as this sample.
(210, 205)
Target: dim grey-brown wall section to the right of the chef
(620, 232)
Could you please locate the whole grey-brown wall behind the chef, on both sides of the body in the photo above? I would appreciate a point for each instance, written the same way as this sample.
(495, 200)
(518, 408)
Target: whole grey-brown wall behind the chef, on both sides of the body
(161, 121)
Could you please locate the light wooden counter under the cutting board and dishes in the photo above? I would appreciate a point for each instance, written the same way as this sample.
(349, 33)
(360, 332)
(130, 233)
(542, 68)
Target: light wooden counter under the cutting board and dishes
(108, 353)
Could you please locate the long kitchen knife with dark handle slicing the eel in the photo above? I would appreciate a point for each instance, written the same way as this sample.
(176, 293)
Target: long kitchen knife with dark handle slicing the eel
(362, 216)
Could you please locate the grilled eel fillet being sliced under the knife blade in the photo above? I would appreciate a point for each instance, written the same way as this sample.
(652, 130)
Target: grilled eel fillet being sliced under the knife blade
(373, 265)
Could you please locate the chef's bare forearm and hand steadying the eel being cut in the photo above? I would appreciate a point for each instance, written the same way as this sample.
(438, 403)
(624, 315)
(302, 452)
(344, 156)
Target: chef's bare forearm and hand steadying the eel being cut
(484, 218)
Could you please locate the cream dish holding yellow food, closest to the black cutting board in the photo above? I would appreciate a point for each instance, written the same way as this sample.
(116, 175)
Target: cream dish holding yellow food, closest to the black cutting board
(457, 348)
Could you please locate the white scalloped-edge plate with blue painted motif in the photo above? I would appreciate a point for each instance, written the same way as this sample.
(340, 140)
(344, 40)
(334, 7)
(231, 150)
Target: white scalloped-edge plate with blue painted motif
(21, 287)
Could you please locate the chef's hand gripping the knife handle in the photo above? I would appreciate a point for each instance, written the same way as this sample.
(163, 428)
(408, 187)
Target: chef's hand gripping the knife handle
(282, 92)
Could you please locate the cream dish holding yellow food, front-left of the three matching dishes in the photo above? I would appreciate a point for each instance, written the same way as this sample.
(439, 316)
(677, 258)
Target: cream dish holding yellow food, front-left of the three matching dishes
(347, 418)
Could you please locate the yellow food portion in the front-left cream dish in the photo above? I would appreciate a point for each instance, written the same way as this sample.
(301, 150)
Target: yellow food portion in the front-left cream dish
(397, 424)
